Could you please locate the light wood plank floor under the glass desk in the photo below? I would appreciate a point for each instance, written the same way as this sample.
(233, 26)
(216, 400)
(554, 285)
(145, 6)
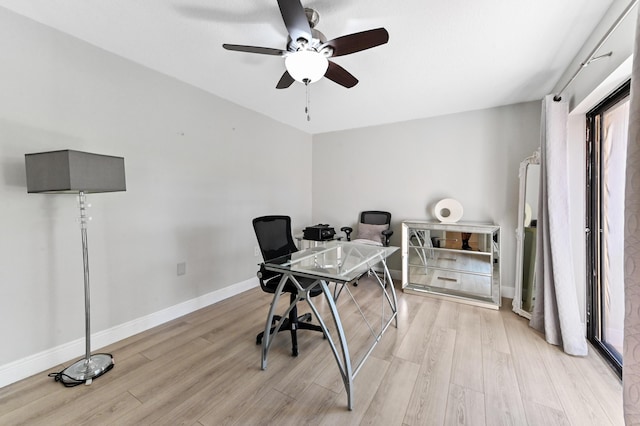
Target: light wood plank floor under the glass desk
(445, 364)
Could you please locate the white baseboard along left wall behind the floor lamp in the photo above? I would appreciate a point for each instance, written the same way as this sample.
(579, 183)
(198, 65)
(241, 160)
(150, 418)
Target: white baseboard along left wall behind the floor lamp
(50, 358)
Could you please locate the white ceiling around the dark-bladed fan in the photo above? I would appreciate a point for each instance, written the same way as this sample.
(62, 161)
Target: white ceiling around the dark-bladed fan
(442, 57)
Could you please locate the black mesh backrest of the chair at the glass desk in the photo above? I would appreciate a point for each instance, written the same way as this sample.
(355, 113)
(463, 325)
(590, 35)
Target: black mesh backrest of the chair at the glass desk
(274, 236)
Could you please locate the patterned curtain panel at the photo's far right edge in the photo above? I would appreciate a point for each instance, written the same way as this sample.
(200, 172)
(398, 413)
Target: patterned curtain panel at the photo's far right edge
(631, 352)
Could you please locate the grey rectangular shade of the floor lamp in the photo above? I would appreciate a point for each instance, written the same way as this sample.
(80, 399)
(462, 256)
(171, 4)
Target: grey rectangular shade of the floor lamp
(74, 171)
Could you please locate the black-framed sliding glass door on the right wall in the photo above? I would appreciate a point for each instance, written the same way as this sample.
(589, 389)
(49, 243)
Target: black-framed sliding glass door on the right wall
(608, 125)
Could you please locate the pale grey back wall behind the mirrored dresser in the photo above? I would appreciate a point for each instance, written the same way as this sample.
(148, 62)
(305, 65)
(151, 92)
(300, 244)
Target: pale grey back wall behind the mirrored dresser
(405, 168)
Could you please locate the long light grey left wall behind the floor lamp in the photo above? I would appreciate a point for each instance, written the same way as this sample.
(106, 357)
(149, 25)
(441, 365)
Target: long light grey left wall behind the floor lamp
(198, 170)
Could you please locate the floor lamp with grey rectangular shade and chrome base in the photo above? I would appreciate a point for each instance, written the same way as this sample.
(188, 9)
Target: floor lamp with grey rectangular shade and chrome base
(76, 172)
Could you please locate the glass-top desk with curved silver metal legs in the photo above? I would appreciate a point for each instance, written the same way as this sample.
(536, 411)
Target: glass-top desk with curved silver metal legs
(339, 262)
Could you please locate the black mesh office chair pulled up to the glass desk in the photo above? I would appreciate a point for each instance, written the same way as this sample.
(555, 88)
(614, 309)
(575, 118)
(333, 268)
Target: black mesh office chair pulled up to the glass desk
(275, 240)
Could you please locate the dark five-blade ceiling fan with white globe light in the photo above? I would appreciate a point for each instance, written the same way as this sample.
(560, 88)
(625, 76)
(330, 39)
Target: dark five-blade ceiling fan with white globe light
(307, 52)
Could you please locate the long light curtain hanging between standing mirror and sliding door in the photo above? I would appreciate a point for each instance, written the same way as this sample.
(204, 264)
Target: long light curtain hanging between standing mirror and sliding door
(556, 312)
